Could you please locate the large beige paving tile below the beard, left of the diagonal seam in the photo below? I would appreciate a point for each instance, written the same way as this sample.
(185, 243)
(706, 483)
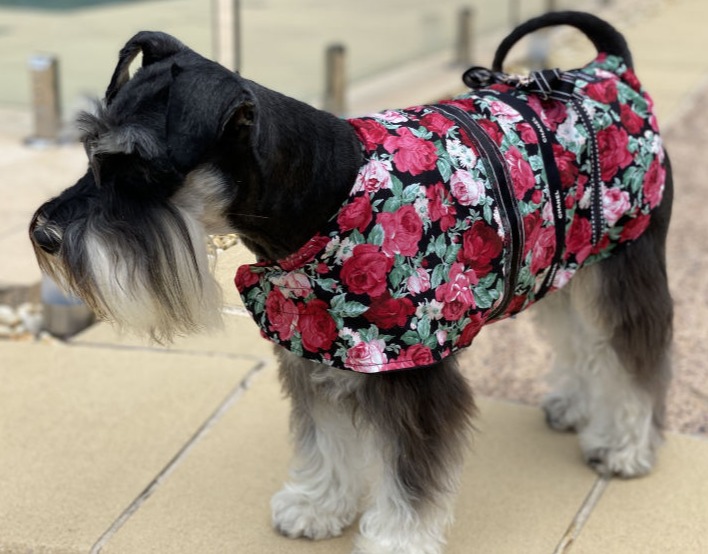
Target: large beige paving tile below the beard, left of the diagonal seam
(84, 430)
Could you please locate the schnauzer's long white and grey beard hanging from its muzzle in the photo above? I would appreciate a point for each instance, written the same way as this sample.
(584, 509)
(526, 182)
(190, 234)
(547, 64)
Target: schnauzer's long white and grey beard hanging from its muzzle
(150, 275)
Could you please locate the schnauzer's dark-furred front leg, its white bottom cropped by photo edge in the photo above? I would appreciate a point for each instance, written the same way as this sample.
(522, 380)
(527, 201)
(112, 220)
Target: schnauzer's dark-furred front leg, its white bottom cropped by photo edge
(420, 421)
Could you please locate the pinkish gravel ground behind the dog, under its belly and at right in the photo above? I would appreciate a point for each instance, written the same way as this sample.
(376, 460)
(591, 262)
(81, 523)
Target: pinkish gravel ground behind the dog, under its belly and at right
(508, 360)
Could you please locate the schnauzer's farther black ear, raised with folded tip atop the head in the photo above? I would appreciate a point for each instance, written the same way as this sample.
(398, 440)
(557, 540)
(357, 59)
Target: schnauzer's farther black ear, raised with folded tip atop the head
(155, 47)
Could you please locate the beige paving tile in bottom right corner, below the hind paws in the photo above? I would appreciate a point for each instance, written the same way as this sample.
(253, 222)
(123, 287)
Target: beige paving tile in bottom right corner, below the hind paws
(663, 513)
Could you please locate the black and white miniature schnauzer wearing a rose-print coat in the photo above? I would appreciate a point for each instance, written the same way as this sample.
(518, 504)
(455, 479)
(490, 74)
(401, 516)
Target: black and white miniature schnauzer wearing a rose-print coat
(384, 243)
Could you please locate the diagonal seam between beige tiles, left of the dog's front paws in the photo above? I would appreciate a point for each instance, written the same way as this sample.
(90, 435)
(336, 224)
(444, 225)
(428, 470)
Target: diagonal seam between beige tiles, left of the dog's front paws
(231, 399)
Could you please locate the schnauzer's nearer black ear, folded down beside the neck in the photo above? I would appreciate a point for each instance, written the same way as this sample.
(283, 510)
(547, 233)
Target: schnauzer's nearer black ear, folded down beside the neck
(201, 107)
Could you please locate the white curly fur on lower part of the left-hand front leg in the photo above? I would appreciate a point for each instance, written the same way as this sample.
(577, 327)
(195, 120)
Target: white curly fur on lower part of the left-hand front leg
(327, 478)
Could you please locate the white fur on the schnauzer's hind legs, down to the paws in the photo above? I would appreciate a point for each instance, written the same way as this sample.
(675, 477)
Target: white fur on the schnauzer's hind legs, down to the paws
(594, 394)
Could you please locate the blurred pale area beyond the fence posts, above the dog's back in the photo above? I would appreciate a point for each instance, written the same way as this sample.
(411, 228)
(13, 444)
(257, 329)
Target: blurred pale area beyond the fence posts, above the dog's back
(281, 43)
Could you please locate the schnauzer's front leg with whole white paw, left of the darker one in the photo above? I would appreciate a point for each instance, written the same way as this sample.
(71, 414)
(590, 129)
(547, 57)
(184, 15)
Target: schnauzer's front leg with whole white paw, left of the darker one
(327, 474)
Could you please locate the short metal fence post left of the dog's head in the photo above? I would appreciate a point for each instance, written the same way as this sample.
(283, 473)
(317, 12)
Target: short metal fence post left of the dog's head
(44, 74)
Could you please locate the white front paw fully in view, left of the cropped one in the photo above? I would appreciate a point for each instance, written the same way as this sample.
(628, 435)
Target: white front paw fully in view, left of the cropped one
(297, 514)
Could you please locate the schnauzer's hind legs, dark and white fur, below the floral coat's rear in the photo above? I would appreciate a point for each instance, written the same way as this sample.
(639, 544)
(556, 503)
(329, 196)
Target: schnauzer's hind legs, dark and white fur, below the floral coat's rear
(621, 324)
